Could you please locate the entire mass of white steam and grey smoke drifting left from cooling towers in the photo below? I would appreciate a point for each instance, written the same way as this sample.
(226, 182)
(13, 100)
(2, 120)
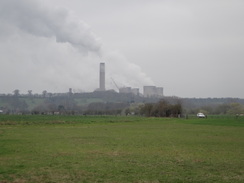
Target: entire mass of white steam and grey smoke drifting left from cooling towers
(45, 48)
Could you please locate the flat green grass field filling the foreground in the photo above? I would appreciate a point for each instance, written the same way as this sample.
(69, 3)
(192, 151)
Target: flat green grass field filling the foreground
(120, 149)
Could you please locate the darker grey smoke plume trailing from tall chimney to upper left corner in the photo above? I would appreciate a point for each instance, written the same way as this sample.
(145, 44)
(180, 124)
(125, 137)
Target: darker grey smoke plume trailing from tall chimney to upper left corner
(38, 20)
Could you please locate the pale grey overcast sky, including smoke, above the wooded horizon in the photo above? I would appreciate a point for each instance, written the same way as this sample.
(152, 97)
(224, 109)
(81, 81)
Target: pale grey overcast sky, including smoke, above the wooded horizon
(192, 48)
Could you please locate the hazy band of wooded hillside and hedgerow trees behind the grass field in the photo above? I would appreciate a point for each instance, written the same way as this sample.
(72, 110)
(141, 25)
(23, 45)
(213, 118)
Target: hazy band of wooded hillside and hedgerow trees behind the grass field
(112, 103)
